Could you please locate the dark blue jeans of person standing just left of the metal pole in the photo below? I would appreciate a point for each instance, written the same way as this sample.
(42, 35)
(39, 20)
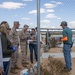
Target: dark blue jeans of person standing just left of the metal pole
(33, 47)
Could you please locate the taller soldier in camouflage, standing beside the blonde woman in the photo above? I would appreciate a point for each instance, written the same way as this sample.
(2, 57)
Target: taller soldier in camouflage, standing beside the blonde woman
(15, 42)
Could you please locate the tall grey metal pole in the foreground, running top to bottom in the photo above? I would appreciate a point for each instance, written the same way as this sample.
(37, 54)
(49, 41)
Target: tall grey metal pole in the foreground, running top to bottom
(38, 33)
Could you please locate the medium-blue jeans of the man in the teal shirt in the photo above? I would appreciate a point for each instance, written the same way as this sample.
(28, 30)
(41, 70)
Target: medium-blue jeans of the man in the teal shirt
(67, 55)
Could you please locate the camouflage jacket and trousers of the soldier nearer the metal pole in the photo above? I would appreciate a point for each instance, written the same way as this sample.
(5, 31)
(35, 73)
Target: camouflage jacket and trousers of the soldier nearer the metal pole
(23, 44)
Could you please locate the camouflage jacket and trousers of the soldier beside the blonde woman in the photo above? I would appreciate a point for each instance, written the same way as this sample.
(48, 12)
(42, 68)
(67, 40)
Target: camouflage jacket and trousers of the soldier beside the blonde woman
(14, 36)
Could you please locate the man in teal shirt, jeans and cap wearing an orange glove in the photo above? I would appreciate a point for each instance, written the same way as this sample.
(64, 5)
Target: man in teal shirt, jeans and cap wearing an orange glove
(67, 43)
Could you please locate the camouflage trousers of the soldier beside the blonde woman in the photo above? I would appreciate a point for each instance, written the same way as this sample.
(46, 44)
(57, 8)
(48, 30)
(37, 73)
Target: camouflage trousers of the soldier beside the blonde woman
(14, 59)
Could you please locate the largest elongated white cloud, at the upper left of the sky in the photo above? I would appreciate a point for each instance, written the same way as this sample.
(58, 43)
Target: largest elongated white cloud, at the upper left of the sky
(11, 5)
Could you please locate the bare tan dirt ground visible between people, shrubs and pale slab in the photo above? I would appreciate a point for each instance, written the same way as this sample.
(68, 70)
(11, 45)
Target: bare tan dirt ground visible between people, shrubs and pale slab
(52, 50)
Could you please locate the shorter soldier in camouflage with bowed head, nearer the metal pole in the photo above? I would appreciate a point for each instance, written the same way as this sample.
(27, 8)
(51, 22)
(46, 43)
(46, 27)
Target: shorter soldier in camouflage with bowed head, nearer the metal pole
(24, 35)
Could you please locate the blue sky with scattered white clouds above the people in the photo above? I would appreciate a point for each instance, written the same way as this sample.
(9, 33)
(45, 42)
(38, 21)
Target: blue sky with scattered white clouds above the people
(52, 12)
